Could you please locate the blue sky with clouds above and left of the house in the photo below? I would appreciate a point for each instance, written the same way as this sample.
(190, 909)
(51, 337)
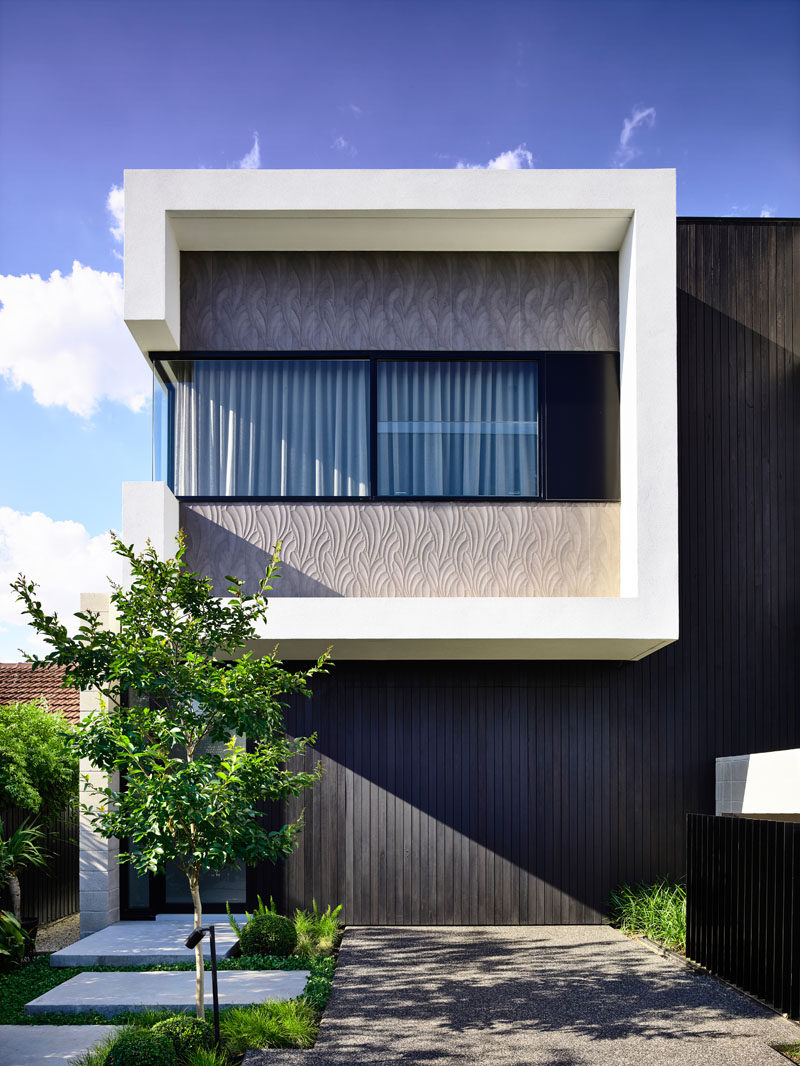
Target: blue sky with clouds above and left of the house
(88, 89)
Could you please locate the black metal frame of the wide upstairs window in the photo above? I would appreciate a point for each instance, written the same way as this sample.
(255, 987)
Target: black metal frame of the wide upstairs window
(374, 358)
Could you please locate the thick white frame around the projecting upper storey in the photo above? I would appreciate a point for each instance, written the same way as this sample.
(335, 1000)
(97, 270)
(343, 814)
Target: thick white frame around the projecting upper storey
(632, 213)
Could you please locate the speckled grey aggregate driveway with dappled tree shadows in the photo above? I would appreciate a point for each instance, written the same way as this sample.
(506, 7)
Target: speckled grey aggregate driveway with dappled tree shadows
(555, 996)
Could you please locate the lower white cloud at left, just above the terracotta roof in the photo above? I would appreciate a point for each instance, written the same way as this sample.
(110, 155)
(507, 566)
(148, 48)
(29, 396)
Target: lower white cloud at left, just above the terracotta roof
(62, 559)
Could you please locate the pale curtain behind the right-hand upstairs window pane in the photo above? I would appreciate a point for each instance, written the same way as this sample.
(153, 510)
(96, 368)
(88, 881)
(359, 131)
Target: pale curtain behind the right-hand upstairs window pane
(458, 429)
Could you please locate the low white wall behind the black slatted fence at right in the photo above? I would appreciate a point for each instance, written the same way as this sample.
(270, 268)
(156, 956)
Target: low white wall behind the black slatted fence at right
(764, 784)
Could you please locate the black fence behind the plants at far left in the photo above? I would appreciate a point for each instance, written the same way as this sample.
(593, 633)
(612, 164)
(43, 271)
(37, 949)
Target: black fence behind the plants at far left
(52, 893)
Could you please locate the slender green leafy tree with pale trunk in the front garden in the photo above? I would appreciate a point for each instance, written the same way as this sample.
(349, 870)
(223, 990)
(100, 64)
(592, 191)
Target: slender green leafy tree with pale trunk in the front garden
(175, 679)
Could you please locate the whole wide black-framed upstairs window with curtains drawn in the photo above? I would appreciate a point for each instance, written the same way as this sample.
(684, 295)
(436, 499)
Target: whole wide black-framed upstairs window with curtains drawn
(386, 427)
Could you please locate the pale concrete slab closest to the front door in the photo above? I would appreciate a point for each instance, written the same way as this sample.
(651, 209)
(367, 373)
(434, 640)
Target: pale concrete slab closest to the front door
(143, 944)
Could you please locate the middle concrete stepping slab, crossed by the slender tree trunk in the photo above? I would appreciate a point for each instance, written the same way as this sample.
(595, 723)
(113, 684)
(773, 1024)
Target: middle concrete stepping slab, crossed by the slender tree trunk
(110, 994)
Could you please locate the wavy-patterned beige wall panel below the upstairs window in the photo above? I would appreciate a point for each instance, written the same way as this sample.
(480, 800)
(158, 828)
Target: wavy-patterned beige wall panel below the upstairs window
(411, 550)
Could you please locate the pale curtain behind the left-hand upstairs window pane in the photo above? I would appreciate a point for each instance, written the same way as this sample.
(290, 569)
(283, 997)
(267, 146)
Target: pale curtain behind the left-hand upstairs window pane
(273, 428)
